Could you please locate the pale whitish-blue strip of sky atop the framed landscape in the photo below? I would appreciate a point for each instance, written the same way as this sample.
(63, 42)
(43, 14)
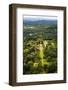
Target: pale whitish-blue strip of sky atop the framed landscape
(35, 18)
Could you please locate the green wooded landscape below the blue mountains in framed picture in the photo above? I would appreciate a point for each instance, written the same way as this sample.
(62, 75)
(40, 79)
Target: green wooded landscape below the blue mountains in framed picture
(40, 48)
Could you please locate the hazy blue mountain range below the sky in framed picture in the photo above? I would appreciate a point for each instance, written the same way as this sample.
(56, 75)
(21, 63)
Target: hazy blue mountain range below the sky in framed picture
(46, 22)
